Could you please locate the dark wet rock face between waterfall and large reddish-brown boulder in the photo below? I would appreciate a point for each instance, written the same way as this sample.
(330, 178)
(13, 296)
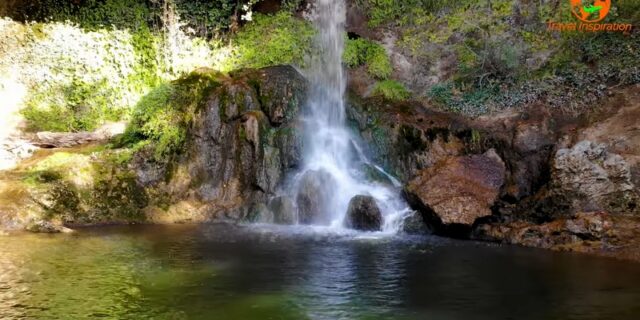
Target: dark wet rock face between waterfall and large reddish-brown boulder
(404, 138)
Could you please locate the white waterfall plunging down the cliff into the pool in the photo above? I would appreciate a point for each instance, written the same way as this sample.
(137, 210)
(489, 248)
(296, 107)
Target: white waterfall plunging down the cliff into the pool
(329, 145)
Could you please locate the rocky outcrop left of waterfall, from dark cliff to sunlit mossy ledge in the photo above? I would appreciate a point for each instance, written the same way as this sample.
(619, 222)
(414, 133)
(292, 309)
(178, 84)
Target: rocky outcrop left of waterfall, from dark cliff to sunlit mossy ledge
(241, 141)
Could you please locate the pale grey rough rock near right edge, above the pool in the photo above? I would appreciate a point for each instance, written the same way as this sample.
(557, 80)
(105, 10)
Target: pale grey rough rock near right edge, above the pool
(591, 178)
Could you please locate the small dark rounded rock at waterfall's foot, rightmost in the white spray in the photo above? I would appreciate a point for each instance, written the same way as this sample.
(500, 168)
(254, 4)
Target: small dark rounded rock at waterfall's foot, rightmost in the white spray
(363, 214)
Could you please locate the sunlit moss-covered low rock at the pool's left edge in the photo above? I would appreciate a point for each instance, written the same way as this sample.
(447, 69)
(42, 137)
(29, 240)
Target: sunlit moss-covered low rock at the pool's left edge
(85, 185)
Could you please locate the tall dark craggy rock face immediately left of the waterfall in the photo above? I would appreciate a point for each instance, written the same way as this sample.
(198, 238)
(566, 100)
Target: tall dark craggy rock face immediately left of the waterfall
(244, 139)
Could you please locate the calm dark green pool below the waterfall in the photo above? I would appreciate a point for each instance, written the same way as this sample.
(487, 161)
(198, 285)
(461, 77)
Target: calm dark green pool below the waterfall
(226, 272)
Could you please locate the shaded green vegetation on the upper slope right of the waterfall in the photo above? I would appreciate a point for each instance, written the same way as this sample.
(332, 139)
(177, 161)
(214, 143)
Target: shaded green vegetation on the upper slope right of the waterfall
(491, 55)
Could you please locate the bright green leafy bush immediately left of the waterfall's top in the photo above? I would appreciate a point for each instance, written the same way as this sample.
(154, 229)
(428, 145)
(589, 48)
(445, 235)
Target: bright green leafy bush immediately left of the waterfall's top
(272, 40)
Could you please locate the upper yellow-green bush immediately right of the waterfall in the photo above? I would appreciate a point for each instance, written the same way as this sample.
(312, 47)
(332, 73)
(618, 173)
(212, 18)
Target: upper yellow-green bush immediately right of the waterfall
(361, 51)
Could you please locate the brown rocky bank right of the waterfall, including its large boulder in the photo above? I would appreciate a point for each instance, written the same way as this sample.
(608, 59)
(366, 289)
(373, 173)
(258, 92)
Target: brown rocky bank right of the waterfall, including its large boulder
(539, 177)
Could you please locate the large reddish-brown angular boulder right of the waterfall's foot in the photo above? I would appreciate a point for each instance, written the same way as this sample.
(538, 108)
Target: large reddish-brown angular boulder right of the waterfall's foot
(459, 190)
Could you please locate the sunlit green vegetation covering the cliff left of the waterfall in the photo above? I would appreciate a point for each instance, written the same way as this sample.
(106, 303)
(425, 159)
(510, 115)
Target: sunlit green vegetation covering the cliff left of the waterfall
(96, 66)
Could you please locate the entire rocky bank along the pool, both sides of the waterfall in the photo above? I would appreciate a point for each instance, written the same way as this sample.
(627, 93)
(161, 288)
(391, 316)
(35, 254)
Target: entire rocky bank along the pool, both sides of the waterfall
(538, 177)
